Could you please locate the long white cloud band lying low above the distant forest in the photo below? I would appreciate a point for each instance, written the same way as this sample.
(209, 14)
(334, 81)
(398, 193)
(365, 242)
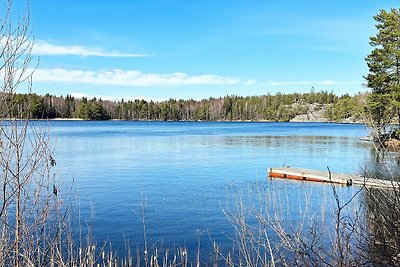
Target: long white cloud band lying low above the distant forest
(134, 78)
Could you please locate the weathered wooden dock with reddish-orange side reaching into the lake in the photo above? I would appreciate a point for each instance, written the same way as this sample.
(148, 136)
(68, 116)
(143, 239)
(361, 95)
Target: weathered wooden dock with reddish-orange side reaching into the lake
(326, 177)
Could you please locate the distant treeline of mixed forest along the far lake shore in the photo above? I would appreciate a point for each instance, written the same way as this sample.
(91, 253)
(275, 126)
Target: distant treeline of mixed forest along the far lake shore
(278, 107)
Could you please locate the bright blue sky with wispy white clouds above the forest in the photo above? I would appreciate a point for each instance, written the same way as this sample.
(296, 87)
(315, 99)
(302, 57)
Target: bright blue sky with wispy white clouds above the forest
(199, 49)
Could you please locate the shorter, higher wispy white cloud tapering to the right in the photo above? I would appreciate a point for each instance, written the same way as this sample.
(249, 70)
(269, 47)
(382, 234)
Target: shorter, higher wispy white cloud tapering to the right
(47, 49)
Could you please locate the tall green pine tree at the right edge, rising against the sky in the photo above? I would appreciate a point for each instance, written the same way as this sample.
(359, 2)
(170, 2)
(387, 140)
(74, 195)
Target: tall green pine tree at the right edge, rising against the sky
(384, 69)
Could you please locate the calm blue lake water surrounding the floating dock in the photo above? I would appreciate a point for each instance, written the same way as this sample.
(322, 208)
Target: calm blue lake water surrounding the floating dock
(186, 171)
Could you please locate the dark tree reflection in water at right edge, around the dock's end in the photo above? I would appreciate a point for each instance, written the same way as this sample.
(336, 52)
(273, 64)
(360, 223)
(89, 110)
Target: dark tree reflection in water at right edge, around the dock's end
(382, 210)
